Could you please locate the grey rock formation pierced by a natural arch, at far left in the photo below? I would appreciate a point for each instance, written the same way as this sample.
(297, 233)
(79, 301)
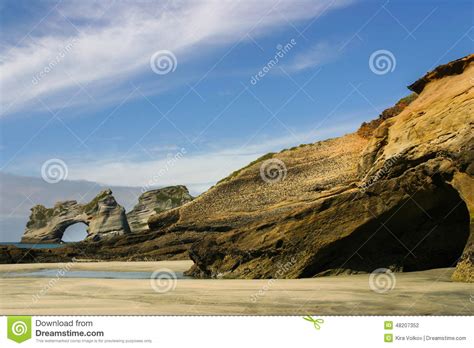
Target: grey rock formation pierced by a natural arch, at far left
(103, 216)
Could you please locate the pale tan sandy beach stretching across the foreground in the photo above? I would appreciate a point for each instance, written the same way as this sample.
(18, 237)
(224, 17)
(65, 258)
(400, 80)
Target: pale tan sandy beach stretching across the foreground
(417, 293)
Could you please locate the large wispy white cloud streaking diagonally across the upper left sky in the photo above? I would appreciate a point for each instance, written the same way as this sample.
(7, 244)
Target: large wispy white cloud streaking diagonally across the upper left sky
(113, 42)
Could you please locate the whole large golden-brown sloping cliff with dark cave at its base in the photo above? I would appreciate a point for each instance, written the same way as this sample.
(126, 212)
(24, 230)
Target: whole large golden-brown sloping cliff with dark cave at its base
(399, 200)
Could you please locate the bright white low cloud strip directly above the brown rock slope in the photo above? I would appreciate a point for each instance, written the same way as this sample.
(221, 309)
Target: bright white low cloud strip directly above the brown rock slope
(198, 171)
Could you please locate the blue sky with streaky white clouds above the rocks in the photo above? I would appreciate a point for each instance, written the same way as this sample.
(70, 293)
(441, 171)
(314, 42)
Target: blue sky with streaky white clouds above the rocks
(111, 119)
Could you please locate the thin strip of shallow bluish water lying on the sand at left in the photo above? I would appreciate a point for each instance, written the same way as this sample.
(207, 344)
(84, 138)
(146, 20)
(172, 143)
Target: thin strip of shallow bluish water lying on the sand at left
(62, 273)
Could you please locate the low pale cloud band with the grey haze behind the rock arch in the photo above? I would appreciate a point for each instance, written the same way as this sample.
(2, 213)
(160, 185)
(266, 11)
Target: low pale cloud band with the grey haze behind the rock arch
(127, 177)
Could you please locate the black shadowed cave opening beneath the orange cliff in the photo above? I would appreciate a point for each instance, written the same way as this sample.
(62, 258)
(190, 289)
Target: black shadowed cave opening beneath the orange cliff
(428, 230)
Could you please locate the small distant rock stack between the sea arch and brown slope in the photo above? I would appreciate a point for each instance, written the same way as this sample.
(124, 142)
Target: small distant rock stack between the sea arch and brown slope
(156, 201)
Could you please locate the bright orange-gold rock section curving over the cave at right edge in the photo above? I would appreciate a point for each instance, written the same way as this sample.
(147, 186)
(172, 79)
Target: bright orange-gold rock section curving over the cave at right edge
(436, 130)
